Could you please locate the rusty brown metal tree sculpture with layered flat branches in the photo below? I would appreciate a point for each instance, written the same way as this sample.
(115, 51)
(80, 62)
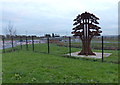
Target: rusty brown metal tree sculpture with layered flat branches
(86, 29)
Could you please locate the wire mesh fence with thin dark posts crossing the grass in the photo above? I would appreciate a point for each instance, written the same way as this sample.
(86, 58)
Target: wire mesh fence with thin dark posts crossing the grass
(59, 45)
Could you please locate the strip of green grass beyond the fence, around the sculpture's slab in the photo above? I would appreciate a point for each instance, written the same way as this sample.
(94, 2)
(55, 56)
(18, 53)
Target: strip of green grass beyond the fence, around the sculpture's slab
(61, 50)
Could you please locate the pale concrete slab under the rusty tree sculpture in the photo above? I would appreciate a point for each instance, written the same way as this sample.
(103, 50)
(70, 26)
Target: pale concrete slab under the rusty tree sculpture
(98, 55)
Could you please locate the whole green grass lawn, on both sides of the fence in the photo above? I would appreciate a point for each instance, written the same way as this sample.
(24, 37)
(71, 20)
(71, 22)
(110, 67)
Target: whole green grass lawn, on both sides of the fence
(24, 66)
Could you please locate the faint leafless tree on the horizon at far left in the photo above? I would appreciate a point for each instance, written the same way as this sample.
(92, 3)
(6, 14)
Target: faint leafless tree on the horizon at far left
(10, 29)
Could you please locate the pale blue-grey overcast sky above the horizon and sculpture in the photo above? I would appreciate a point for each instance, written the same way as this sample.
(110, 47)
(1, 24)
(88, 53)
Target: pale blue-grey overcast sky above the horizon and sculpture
(56, 16)
